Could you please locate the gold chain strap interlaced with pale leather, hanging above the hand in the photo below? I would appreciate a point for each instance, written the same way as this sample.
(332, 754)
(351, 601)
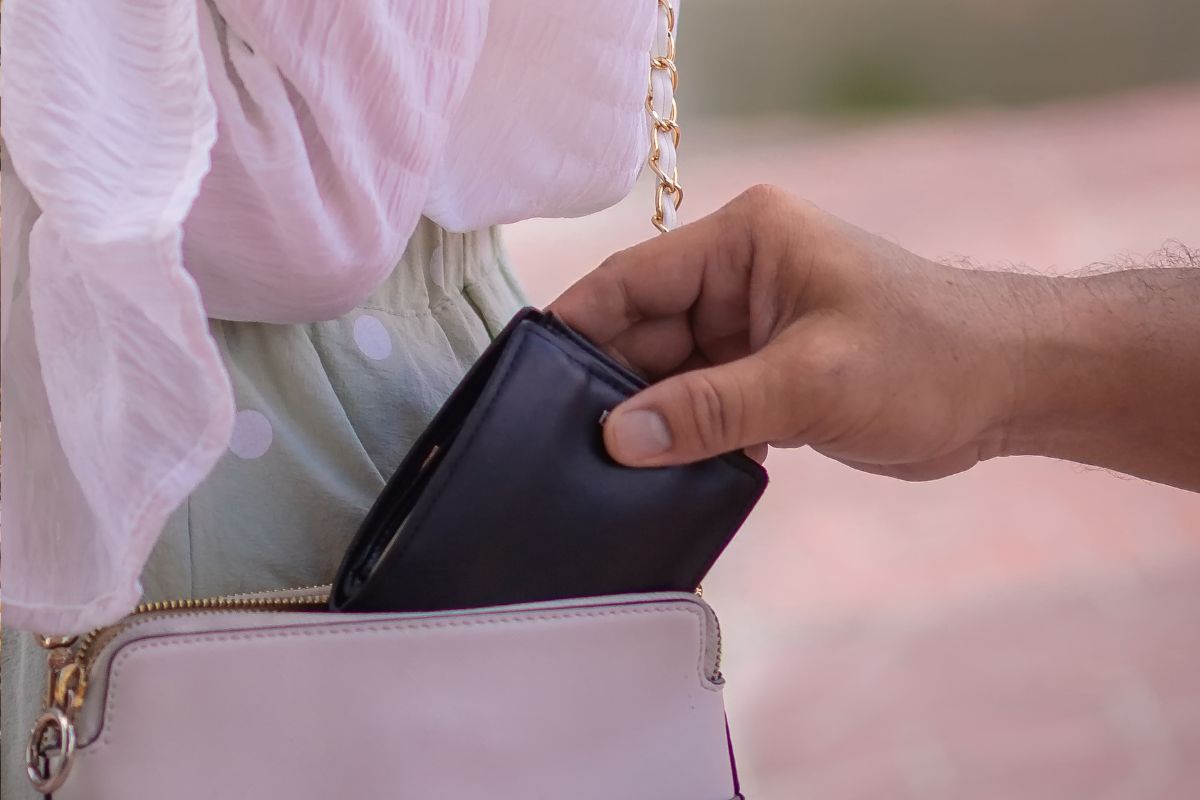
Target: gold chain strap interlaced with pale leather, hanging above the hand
(661, 106)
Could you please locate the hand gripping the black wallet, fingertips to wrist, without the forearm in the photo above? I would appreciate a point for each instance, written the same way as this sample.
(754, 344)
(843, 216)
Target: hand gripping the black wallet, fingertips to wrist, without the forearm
(775, 323)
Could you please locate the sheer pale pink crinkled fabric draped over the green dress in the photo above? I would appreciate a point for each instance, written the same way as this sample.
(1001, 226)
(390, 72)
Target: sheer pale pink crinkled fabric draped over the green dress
(166, 164)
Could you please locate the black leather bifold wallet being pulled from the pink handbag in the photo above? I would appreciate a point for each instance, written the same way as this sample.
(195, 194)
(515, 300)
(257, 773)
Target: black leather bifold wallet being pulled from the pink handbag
(511, 496)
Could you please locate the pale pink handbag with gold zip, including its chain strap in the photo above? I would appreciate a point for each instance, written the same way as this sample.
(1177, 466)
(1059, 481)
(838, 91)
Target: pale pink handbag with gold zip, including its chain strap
(266, 696)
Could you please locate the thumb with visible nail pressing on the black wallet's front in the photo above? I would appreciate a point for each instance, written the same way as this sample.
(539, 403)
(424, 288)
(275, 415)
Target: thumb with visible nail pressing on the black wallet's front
(699, 414)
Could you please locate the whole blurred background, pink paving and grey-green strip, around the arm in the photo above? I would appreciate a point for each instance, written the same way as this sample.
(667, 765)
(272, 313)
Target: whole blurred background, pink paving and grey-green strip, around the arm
(1030, 629)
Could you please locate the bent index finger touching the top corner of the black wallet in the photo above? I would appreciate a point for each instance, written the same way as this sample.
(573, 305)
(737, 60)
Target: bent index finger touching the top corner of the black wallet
(662, 278)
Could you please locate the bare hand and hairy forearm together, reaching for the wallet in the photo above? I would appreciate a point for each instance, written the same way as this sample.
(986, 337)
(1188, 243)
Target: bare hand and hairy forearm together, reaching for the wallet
(772, 322)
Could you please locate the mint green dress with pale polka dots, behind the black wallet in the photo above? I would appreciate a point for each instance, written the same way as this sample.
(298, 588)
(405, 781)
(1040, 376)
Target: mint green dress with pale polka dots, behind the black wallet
(326, 413)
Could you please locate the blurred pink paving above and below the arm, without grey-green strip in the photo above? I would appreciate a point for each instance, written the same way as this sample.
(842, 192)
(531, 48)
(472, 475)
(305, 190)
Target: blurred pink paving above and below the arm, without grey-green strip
(1030, 629)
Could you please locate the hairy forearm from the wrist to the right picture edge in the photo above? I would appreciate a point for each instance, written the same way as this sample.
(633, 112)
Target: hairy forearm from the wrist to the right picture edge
(1111, 375)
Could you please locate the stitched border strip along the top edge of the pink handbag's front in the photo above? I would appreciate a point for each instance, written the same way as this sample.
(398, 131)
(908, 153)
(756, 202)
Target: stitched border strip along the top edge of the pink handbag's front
(397, 627)
